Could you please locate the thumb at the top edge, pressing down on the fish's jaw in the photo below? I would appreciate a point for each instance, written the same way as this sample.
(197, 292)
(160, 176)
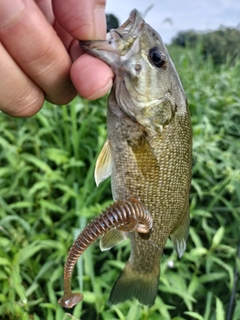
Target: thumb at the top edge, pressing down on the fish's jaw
(84, 20)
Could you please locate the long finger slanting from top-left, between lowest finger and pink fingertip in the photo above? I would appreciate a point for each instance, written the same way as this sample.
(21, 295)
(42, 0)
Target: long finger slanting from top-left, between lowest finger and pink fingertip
(34, 45)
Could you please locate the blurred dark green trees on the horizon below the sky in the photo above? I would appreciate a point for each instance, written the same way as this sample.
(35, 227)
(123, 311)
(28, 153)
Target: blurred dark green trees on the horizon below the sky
(222, 45)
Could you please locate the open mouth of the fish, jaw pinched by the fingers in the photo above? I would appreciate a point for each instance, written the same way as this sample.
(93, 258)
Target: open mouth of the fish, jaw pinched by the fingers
(119, 41)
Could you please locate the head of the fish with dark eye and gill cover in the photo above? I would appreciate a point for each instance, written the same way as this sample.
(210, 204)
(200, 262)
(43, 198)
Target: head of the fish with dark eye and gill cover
(146, 85)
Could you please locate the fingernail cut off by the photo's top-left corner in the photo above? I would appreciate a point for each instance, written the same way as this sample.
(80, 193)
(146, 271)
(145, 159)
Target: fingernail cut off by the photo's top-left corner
(9, 11)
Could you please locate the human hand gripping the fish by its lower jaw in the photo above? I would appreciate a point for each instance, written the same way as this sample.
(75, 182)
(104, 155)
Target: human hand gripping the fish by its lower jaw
(40, 55)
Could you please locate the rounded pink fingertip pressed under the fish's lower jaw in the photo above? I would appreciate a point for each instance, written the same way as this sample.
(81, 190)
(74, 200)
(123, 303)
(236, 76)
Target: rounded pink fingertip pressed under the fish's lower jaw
(99, 77)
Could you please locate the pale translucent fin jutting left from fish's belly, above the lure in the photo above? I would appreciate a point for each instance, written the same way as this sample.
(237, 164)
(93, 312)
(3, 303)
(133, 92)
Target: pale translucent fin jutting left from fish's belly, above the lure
(103, 168)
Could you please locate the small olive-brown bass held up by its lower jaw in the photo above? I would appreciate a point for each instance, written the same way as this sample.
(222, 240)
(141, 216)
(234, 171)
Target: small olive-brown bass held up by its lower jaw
(148, 152)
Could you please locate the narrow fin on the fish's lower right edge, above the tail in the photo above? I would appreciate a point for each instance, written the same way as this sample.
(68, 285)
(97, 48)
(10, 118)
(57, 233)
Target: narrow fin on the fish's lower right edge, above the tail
(180, 234)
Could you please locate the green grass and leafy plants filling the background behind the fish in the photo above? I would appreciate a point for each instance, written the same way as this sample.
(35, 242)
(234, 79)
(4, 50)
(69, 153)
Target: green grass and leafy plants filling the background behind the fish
(47, 194)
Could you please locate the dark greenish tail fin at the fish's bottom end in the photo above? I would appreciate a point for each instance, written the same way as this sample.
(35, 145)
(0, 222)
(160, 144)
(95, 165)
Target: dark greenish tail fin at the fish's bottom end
(133, 284)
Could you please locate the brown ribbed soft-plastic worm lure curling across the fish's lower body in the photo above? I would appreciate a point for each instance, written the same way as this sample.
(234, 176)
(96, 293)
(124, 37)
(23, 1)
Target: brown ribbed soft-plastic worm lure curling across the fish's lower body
(126, 215)
